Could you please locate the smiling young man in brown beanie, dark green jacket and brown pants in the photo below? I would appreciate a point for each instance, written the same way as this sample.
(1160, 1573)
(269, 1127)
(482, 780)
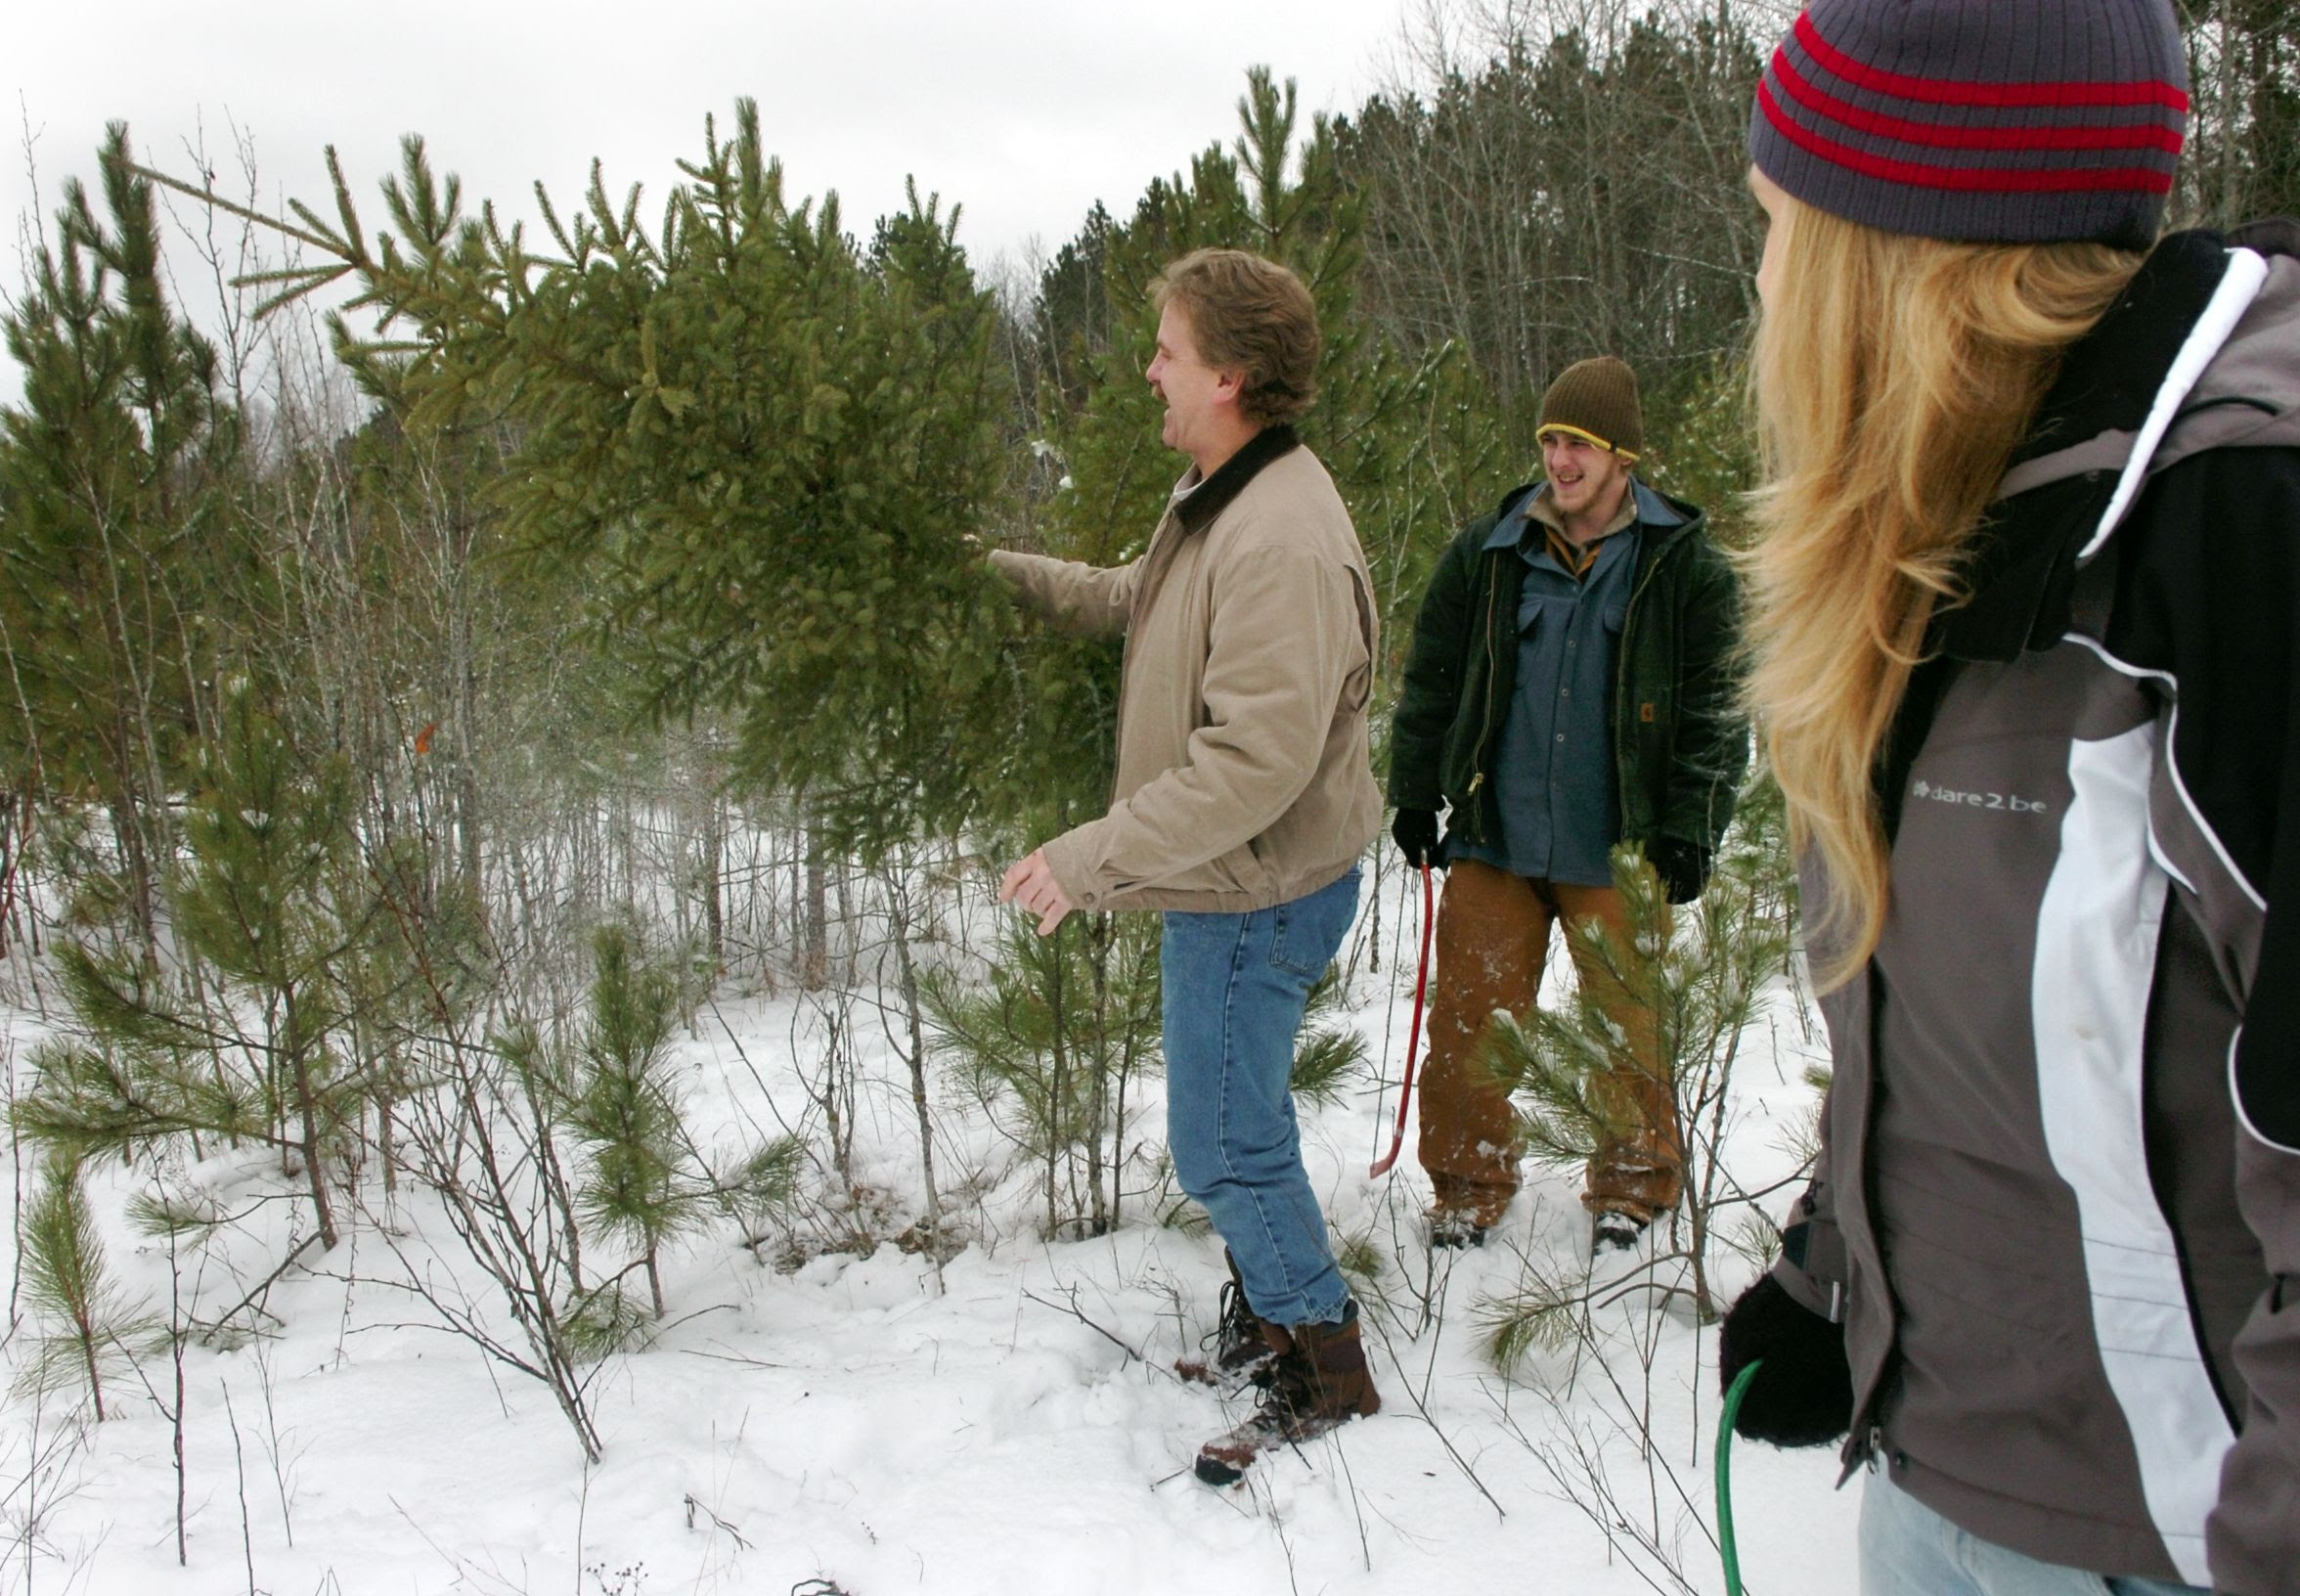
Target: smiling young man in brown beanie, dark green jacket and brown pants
(1570, 689)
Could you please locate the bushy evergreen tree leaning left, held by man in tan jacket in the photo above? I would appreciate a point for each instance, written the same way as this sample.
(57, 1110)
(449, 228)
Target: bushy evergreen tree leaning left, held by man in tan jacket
(762, 447)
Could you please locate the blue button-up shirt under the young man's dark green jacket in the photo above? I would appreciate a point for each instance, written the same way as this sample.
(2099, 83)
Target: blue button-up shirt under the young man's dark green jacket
(1554, 774)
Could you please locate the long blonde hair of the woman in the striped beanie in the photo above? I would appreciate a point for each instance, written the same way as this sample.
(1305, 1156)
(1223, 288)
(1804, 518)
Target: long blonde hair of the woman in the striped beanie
(1894, 376)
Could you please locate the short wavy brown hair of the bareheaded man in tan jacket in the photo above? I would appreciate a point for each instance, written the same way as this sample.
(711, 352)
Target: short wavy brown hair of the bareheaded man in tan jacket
(1255, 316)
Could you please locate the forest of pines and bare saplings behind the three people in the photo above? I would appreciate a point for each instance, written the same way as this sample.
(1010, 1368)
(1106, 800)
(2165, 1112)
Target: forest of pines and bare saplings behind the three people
(415, 712)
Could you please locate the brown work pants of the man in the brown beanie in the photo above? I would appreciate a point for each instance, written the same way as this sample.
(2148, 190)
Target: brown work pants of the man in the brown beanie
(1494, 937)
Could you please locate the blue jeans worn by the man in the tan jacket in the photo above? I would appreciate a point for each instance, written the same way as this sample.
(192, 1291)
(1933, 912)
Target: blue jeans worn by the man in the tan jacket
(1236, 988)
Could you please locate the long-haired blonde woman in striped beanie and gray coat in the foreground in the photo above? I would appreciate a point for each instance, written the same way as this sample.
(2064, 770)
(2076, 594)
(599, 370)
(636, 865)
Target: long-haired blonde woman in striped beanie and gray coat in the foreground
(2023, 654)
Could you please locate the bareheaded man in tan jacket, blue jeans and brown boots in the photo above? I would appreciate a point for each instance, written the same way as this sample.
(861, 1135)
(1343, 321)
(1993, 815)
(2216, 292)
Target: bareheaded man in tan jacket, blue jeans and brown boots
(1243, 804)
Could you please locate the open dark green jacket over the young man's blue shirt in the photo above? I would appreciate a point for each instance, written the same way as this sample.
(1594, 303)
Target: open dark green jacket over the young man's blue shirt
(1680, 746)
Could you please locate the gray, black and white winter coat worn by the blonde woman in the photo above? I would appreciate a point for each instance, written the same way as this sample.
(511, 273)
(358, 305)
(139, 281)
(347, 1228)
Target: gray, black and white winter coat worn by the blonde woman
(2060, 1195)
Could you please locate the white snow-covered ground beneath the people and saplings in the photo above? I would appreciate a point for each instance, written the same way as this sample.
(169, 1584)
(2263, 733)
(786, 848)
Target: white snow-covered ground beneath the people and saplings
(861, 1427)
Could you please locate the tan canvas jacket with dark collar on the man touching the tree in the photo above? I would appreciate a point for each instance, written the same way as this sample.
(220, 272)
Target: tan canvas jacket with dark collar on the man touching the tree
(1245, 774)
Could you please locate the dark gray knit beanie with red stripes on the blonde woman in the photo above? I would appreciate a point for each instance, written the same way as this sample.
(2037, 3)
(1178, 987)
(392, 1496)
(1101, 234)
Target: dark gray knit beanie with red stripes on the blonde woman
(1979, 121)
